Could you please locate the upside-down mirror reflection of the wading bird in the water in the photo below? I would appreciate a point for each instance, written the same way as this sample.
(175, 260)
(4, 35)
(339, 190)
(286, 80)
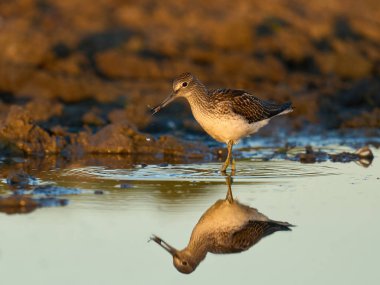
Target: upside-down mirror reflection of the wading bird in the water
(226, 227)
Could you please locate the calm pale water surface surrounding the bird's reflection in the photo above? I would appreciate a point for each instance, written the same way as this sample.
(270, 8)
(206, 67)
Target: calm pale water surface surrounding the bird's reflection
(102, 239)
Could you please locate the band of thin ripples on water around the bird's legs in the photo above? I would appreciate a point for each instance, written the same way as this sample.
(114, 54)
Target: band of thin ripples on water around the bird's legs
(247, 171)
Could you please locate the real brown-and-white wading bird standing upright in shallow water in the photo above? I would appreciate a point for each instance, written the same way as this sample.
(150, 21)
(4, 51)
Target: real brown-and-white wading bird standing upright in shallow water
(227, 115)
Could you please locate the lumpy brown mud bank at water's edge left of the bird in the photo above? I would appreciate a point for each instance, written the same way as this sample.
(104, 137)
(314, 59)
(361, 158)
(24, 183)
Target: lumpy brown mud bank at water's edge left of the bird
(19, 132)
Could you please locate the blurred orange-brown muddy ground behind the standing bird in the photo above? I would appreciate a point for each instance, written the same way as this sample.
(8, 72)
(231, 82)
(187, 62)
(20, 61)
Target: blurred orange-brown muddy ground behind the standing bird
(76, 71)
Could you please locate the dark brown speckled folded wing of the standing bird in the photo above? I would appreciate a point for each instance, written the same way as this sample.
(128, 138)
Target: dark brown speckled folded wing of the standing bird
(248, 106)
